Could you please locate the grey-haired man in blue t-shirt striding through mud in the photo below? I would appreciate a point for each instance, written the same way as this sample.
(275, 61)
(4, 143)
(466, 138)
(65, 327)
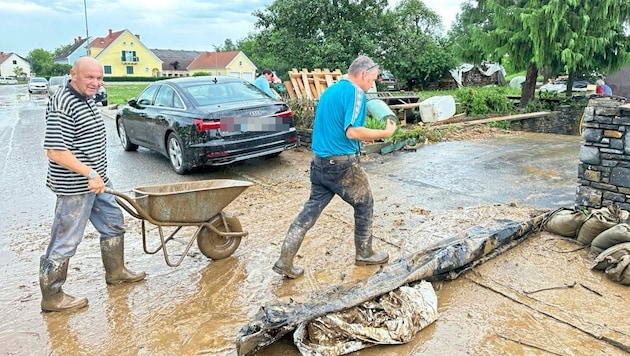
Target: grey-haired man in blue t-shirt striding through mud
(338, 131)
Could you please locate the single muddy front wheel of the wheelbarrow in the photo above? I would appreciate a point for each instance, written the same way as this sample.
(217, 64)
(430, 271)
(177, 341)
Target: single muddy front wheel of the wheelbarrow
(213, 245)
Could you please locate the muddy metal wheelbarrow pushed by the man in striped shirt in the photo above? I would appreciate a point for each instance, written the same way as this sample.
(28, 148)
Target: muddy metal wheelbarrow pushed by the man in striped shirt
(198, 204)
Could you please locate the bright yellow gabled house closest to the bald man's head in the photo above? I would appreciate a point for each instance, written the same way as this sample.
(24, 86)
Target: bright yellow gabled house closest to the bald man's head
(123, 55)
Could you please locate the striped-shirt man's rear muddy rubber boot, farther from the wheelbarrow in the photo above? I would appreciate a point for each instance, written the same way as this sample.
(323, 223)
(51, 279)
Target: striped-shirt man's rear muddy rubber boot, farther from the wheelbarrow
(52, 276)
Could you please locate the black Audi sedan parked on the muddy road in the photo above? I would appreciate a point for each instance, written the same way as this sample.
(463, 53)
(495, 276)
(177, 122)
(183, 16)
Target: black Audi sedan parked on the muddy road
(207, 120)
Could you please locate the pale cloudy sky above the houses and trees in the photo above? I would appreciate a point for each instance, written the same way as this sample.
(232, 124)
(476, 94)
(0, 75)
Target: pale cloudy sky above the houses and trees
(164, 24)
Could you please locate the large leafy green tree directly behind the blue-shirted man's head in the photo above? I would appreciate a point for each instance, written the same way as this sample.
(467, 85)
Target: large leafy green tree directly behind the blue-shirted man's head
(324, 34)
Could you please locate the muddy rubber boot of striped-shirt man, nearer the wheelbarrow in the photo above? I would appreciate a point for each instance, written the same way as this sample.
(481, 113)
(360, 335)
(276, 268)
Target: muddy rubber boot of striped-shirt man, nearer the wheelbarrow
(112, 252)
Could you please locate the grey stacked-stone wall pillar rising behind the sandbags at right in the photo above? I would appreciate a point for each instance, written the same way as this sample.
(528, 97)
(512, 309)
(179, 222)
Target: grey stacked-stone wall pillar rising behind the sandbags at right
(604, 169)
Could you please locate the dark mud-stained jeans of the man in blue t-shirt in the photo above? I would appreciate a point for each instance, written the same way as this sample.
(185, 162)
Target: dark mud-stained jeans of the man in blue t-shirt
(348, 180)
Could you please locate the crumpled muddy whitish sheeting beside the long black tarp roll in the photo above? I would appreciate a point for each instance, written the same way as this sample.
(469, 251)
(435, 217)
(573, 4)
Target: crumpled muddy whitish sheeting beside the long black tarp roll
(393, 318)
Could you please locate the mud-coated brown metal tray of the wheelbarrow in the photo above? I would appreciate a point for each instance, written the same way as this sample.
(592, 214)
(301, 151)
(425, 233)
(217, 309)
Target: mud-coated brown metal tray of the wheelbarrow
(188, 202)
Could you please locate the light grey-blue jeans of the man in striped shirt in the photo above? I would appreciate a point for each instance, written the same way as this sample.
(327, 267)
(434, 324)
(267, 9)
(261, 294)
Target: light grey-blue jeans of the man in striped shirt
(72, 213)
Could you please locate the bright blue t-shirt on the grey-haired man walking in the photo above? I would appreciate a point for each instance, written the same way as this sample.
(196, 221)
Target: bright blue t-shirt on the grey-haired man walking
(341, 105)
